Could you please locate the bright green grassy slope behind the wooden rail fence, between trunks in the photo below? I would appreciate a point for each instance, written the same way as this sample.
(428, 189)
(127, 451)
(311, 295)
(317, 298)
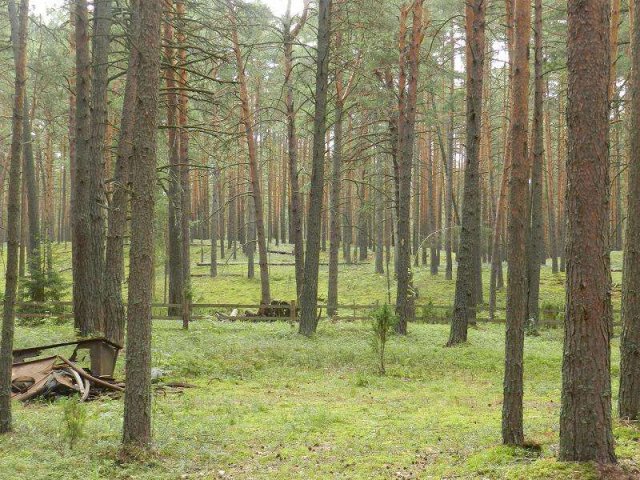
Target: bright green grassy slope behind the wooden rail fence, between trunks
(357, 283)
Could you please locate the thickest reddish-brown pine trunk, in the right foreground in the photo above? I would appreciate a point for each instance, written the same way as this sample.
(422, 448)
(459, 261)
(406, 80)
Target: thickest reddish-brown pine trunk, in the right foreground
(585, 415)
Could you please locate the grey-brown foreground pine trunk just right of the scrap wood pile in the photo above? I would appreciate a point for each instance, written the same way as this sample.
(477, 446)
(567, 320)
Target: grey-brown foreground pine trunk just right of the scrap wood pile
(137, 399)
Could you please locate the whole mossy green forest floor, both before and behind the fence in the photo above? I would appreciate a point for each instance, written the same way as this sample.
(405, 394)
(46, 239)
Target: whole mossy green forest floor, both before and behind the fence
(270, 404)
